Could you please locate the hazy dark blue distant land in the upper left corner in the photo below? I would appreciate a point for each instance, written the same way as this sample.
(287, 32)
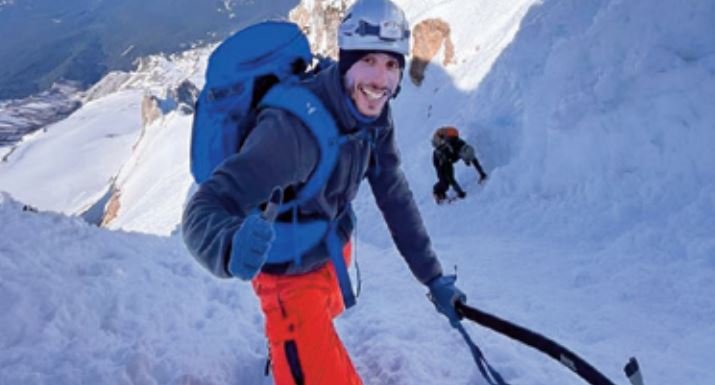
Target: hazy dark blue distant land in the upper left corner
(82, 40)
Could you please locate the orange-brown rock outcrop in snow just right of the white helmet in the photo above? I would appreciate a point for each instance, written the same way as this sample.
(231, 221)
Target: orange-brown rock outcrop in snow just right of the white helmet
(429, 36)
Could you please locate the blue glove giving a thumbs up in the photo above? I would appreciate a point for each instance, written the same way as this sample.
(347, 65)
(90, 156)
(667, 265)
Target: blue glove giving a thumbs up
(251, 243)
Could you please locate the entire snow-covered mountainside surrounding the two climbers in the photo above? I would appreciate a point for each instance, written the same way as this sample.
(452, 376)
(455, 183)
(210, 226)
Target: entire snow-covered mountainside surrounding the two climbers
(595, 228)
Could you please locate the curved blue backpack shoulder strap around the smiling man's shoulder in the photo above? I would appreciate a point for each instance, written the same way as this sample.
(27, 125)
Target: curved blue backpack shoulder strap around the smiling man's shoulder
(303, 103)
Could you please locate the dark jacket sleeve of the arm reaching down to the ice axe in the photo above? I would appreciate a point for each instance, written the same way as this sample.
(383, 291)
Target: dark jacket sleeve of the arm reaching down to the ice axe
(396, 202)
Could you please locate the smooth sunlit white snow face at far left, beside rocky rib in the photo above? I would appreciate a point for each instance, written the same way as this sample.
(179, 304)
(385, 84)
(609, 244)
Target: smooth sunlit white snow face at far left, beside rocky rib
(95, 141)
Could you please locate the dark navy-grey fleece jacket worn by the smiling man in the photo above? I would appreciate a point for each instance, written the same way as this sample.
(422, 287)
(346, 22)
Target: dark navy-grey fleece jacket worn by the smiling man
(281, 151)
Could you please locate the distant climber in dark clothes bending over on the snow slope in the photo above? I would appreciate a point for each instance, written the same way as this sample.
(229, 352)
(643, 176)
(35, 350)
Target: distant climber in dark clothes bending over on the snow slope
(448, 149)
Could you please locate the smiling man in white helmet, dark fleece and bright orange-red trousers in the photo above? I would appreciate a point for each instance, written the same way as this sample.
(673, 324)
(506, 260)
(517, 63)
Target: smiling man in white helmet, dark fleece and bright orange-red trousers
(300, 298)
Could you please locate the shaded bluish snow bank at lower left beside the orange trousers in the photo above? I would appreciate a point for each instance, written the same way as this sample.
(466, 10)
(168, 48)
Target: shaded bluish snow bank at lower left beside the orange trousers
(87, 305)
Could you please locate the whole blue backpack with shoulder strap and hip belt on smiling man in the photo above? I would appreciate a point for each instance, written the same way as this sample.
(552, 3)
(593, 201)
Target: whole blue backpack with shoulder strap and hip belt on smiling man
(257, 67)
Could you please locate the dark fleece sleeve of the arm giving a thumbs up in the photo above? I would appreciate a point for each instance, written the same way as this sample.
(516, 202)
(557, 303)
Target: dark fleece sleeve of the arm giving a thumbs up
(278, 152)
